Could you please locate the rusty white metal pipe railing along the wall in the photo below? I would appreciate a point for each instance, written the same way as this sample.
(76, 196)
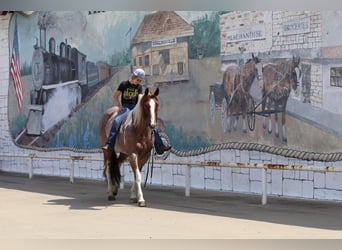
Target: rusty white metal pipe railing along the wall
(188, 164)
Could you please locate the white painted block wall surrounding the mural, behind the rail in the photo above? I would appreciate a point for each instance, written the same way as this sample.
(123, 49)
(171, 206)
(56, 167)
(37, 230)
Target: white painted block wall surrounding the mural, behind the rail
(303, 184)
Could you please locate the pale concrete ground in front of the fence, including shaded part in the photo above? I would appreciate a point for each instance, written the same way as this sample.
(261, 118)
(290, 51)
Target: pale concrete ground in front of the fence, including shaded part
(54, 208)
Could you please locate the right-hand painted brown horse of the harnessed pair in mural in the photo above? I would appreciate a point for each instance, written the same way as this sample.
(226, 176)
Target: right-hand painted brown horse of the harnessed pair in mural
(278, 80)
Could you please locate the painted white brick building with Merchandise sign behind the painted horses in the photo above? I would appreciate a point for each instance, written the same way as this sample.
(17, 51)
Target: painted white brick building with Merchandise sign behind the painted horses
(274, 35)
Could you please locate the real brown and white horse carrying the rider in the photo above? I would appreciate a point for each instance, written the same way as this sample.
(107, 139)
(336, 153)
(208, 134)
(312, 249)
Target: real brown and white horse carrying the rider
(134, 142)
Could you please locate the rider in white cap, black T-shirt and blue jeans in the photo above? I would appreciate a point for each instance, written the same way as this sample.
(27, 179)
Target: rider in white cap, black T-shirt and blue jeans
(130, 90)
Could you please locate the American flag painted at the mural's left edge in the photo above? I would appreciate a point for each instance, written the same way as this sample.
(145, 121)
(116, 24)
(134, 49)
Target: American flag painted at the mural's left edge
(15, 69)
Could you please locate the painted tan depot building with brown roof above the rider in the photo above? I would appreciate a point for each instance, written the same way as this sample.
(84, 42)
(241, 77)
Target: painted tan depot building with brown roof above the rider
(160, 47)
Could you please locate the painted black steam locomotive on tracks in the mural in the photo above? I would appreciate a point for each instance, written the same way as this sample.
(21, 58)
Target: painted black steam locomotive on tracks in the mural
(68, 69)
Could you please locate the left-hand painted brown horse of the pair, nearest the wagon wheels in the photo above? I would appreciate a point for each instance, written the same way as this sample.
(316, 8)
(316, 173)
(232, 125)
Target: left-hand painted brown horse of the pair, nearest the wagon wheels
(237, 82)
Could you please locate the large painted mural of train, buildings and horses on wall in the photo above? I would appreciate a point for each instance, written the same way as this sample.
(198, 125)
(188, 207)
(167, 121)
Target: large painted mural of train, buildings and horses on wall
(269, 78)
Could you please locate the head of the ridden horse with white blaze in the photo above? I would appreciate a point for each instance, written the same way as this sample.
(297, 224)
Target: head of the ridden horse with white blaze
(149, 104)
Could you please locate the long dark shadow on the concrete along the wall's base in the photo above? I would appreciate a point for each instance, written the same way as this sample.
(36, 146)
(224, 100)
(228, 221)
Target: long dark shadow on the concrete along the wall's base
(90, 194)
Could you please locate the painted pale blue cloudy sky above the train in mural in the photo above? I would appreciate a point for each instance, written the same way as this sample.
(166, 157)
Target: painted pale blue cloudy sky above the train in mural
(97, 35)
